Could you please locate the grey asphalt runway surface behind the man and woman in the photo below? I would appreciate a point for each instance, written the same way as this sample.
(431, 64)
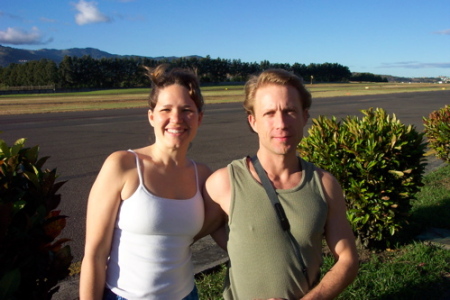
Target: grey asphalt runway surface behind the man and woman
(78, 142)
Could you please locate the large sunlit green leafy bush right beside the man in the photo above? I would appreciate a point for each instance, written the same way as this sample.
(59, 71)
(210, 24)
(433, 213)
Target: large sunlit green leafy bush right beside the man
(379, 163)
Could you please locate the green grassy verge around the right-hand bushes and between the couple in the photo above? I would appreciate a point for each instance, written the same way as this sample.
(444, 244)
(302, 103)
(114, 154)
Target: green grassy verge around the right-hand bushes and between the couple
(410, 270)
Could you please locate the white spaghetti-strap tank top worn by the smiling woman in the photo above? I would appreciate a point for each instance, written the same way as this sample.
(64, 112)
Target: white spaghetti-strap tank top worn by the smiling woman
(150, 255)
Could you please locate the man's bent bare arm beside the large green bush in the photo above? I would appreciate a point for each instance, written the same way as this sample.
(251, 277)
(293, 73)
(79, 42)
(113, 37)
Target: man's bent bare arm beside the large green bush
(340, 240)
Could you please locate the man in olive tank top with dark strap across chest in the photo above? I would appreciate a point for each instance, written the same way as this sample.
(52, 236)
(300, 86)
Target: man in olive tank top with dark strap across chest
(263, 263)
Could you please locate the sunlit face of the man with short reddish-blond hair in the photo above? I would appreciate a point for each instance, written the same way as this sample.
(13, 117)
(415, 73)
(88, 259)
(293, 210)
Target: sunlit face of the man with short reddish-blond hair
(278, 118)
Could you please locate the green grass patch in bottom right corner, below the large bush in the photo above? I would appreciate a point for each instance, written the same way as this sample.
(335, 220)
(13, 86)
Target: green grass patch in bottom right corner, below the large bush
(415, 271)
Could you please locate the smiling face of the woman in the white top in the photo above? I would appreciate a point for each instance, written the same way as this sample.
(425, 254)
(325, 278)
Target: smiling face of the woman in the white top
(175, 117)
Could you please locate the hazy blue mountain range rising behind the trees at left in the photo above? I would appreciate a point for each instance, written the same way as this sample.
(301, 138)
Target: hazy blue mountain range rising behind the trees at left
(10, 55)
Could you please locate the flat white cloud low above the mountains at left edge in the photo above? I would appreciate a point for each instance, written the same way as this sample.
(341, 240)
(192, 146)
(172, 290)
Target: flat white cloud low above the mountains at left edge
(14, 36)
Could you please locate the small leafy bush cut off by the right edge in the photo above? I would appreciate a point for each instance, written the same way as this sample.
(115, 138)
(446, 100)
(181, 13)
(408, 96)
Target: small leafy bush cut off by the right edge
(437, 131)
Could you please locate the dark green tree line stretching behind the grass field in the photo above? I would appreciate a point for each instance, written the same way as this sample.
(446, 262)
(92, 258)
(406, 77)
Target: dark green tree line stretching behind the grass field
(87, 72)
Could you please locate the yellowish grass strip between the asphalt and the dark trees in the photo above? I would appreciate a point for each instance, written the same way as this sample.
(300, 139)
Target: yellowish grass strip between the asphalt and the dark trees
(129, 98)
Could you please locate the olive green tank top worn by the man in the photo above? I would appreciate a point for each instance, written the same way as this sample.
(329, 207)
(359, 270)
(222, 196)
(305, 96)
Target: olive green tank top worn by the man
(262, 261)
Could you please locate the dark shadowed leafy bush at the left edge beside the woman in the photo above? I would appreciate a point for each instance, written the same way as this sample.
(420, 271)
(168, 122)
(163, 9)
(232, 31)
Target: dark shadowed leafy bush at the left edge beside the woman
(32, 261)
